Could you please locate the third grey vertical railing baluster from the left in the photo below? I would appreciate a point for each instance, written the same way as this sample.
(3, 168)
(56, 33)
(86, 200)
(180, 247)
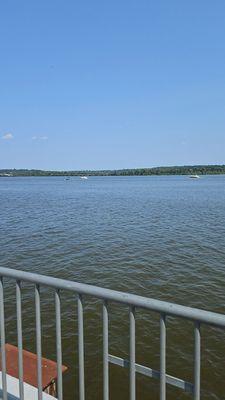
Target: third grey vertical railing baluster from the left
(38, 340)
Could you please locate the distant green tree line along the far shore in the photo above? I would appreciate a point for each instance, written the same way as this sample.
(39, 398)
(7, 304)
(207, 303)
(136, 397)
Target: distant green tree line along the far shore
(176, 170)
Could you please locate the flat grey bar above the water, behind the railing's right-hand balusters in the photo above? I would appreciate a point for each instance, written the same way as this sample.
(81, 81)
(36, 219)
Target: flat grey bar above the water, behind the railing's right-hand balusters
(141, 369)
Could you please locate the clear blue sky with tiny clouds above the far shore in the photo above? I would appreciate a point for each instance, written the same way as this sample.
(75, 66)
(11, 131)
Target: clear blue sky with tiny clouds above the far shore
(100, 84)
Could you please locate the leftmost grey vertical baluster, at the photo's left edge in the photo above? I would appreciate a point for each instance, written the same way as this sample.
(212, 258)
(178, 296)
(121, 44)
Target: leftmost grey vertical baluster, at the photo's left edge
(2, 328)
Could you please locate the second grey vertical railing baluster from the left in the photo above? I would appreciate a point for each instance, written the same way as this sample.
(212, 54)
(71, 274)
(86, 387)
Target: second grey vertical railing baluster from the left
(19, 338)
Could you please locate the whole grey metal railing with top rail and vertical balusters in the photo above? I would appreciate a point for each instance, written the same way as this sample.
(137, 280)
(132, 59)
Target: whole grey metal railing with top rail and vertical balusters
(106, 295)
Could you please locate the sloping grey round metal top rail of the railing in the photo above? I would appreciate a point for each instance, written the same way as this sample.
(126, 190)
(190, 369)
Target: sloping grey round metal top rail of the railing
(172, 309)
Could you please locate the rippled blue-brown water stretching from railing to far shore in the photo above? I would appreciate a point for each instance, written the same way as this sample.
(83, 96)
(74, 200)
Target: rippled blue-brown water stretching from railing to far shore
(162, 237)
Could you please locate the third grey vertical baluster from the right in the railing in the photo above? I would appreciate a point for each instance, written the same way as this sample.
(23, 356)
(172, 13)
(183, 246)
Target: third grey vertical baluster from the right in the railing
(132, 354)
